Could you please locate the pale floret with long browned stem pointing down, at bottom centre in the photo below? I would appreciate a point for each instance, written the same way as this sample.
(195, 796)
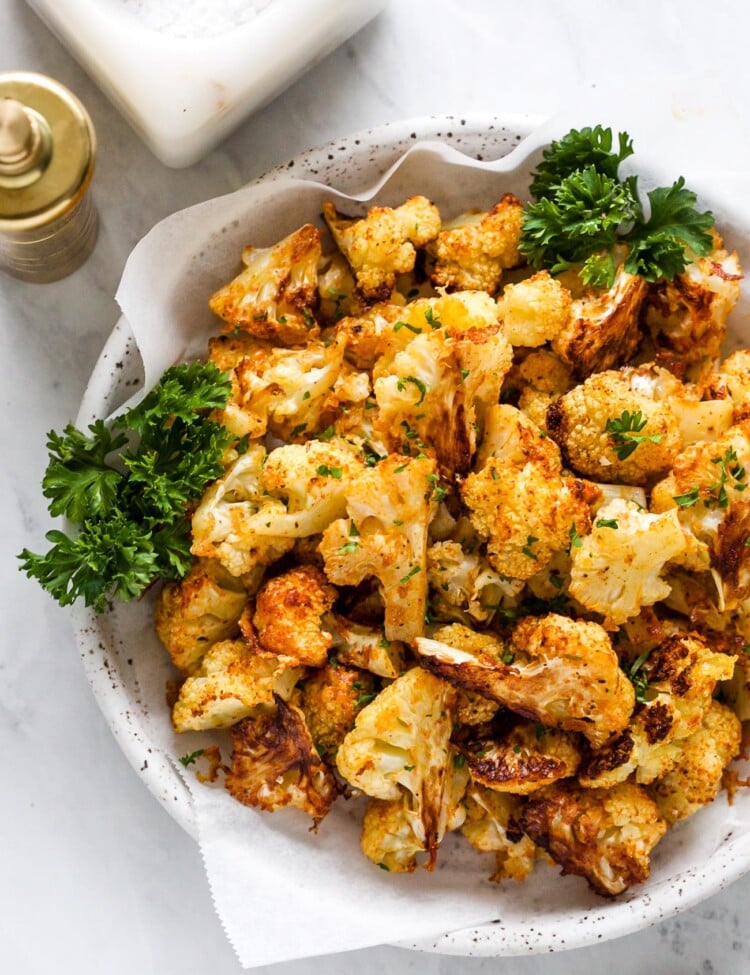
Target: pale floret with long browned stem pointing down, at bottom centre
(400, 743)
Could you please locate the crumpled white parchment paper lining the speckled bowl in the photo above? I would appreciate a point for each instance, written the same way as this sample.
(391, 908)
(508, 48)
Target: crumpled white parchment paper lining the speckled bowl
(280, 891)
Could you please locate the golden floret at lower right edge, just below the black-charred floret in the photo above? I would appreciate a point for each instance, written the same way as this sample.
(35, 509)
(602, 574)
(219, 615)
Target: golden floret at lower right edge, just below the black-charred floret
(695, 779)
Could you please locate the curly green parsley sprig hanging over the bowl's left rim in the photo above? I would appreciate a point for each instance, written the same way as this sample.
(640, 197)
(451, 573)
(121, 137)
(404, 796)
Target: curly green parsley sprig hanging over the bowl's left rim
(128, 490)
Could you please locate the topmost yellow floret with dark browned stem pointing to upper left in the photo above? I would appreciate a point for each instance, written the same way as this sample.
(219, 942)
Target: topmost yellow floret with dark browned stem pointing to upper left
(383, 244)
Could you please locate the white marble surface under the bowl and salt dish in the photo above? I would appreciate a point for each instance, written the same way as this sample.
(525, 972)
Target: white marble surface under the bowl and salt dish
(94, 876)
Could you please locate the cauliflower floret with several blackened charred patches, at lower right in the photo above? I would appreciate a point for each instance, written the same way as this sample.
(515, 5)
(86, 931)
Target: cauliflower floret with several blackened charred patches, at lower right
(677, 682)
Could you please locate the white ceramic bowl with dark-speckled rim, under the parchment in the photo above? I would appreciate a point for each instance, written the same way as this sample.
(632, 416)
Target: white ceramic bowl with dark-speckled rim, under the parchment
(526, 926)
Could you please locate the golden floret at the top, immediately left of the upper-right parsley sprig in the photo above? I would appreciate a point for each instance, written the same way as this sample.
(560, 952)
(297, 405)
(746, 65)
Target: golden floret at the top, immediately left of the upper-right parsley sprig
(471, 251)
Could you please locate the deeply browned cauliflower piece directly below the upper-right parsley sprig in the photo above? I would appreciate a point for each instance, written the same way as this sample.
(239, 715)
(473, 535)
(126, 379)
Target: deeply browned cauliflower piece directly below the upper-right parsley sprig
(602, 330)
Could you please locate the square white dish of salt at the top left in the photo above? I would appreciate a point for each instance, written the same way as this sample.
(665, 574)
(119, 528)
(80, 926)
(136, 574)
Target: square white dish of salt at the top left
(184, 75)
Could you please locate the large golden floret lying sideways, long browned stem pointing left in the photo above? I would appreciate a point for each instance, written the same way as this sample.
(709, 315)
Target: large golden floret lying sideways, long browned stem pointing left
(557, 671)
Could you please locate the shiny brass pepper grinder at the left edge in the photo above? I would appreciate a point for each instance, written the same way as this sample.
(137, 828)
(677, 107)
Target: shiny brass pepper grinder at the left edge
(48, 223)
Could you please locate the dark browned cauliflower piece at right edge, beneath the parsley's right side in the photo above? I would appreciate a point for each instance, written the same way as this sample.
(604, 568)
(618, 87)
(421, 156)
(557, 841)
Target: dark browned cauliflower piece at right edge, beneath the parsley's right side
(688, 315)
